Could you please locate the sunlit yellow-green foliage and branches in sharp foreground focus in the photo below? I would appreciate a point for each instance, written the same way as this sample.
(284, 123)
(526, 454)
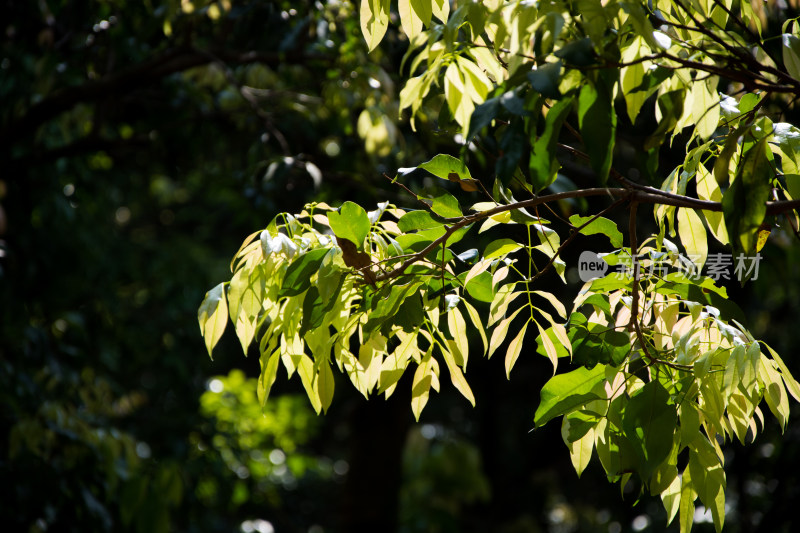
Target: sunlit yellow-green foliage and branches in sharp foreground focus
(660, 369)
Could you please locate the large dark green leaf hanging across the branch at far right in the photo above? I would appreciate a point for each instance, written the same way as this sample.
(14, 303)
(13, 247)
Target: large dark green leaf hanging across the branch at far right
(744, 203)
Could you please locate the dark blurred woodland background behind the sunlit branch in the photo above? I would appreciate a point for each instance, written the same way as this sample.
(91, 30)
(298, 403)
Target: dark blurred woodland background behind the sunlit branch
(140, 142)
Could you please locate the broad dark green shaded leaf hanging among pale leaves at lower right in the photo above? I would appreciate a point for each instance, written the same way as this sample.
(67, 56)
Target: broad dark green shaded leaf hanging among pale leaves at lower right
(649, 423)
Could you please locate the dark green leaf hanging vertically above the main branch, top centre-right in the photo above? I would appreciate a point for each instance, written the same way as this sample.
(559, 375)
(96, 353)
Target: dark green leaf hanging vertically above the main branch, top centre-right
(598, 124)
